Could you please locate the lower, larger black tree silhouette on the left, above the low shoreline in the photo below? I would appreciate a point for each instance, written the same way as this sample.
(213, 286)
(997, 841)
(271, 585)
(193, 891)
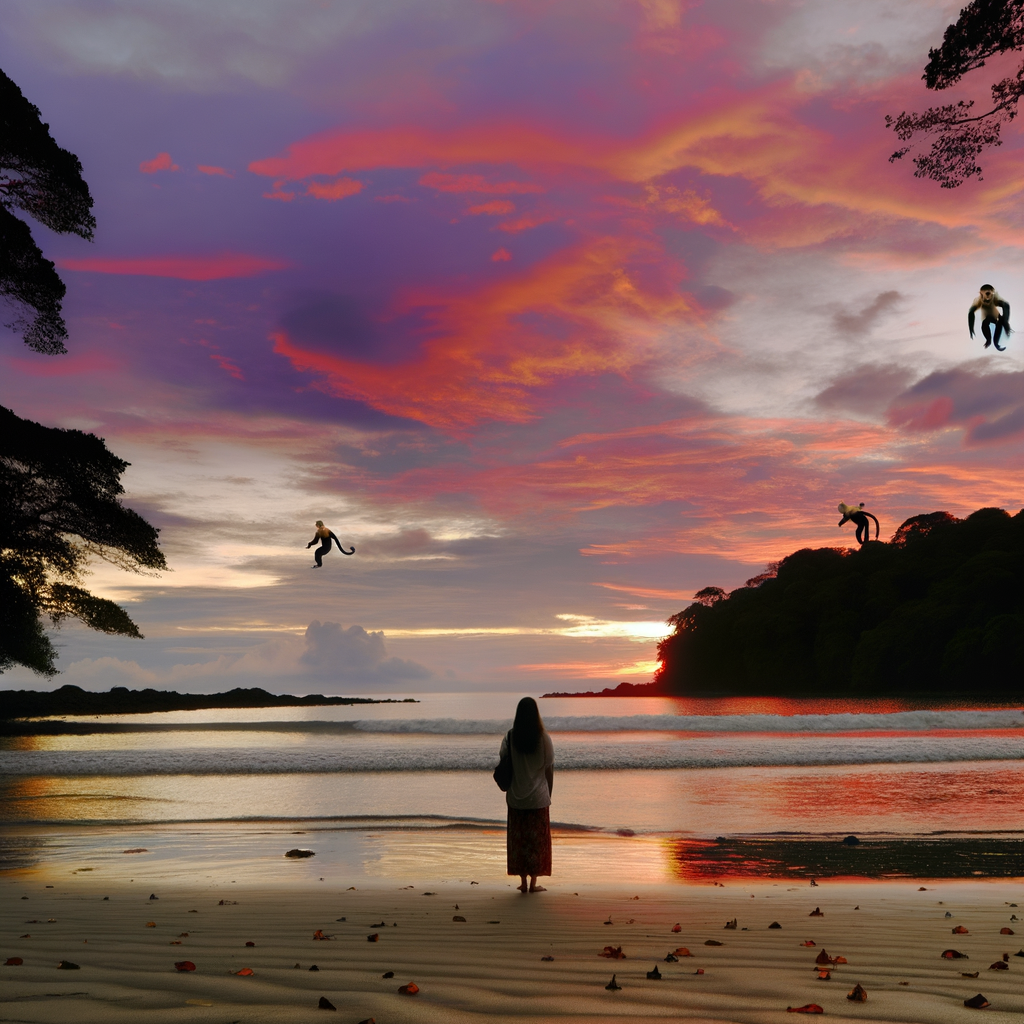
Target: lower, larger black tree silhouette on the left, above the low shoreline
(59, 504)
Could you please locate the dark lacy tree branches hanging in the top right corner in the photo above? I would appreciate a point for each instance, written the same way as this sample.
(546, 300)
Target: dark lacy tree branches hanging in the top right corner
(986, 29)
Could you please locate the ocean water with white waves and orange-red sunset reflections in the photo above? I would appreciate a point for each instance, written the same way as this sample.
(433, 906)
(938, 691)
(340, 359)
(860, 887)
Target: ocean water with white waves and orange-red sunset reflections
(657, 784)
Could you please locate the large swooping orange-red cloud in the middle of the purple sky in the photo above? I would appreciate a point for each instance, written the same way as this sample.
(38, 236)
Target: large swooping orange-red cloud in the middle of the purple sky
(582, 312)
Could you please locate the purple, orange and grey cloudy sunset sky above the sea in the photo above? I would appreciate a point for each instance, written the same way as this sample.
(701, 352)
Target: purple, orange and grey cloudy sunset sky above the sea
(559, 311)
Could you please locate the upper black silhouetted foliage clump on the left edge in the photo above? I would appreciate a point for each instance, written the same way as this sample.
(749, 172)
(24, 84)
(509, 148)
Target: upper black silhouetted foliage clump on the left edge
(41, 180)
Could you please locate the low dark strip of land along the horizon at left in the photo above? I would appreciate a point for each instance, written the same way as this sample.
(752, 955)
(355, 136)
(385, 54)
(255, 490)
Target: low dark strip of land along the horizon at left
(121, 701)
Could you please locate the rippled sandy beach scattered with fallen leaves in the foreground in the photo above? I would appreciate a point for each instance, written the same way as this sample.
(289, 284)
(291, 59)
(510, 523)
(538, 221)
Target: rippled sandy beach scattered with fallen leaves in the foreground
(492, 965)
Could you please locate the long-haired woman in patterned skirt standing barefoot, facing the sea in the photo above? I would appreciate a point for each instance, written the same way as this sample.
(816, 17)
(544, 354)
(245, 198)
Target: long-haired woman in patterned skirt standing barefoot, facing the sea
(529, 797)
